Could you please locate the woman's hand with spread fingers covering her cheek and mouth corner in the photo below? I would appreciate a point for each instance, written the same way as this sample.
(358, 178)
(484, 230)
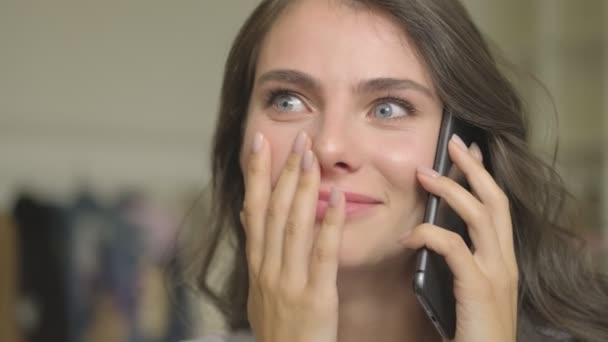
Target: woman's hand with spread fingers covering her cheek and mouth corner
(292, 294)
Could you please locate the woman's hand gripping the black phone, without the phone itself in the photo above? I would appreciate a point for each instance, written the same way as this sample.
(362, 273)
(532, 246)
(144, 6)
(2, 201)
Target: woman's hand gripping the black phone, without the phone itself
(486, 281)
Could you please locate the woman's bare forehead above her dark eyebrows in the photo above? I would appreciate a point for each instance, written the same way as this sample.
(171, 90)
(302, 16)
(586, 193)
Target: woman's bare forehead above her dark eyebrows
(334, 41)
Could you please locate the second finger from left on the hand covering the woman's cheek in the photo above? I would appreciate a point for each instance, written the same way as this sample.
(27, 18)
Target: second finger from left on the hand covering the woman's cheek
(279, 206)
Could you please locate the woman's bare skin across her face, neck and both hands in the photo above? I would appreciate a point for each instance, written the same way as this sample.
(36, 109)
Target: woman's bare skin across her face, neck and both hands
(345, 103)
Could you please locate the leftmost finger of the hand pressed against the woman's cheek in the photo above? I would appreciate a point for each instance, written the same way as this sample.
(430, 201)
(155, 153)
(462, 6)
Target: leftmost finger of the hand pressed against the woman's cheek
(257, 192)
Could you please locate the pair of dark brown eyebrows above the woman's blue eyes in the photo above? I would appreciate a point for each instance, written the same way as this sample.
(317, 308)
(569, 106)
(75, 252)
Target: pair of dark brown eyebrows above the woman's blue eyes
(307, 82)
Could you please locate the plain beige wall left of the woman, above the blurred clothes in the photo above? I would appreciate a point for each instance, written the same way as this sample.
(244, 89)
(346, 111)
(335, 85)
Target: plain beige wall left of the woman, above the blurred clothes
(110, 93)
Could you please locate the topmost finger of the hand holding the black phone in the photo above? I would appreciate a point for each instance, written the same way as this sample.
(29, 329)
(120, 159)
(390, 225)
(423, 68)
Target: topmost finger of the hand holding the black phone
(490, 194)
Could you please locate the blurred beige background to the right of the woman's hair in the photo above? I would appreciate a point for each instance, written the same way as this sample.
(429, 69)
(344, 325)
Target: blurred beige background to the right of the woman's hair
(564, 43)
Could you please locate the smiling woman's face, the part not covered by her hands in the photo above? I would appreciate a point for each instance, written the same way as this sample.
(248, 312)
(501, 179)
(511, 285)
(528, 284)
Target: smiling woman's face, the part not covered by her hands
(352, 81)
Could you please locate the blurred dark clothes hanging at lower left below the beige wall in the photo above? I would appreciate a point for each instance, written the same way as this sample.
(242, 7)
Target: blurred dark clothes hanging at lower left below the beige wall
(88, 270)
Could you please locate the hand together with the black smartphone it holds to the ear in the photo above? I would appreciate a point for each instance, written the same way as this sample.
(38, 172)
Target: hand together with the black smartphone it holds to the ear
(467, 279)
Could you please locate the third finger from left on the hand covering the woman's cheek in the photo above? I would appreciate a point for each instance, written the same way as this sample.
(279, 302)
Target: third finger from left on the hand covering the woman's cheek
(300, 224)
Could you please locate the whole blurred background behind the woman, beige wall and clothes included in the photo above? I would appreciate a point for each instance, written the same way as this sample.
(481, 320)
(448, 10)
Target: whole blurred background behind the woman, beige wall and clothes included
(106, 115)
